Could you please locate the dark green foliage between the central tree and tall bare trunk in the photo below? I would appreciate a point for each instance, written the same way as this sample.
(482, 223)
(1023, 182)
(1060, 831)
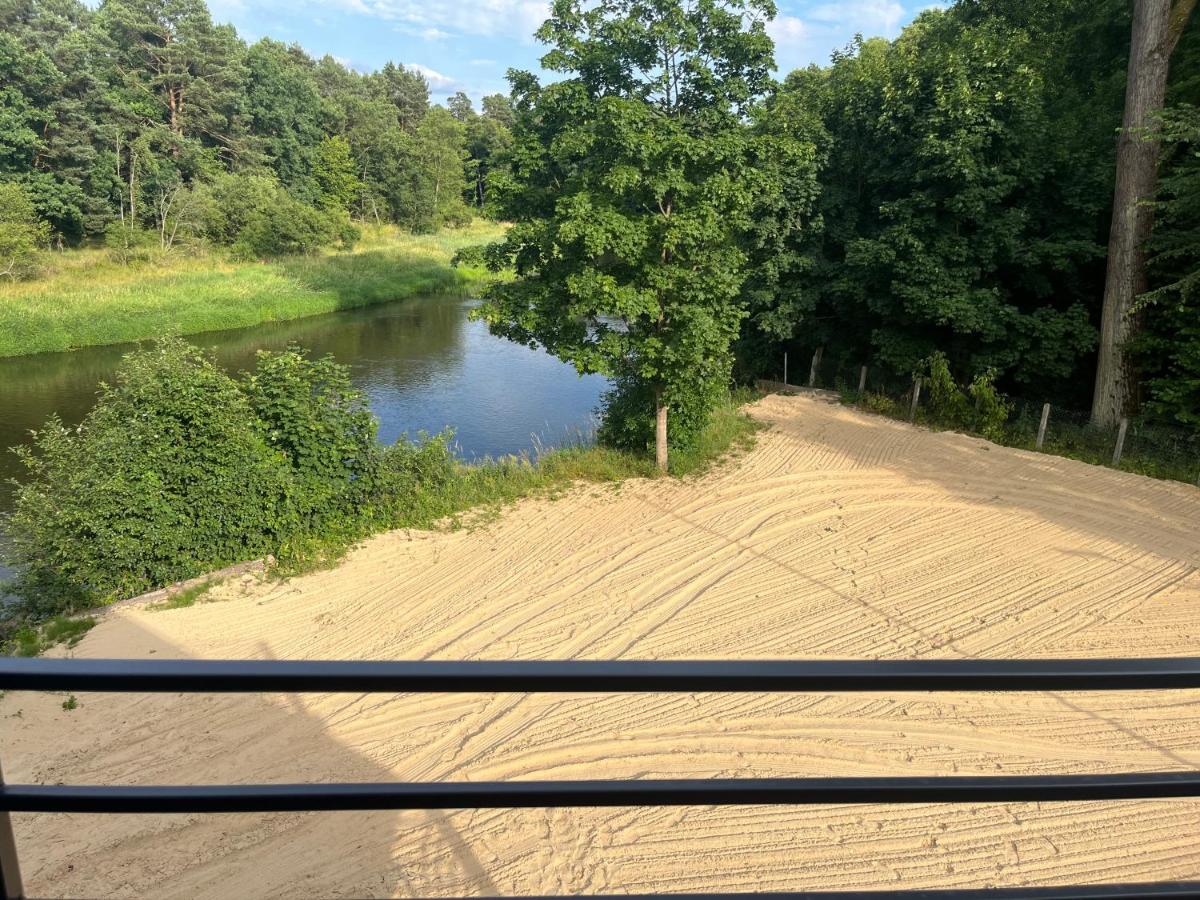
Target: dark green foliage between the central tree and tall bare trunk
(965, 190)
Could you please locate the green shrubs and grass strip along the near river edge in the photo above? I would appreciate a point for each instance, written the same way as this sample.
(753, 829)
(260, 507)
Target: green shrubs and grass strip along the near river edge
(181, 470)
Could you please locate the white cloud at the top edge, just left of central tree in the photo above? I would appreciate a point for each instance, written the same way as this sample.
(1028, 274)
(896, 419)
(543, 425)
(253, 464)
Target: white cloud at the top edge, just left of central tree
(515, 19)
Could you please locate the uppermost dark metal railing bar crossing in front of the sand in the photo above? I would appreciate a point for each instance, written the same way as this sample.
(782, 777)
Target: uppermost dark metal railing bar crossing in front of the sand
(581, 676)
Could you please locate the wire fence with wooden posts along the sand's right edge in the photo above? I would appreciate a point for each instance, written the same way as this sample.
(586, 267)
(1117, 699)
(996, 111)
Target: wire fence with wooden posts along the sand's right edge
(1139, 445)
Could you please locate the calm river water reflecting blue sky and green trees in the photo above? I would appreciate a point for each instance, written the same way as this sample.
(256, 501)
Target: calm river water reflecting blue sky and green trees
(423, 364)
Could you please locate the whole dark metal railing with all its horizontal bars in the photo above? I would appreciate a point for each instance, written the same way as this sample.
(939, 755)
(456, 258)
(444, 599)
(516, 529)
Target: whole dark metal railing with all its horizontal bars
(578, 677)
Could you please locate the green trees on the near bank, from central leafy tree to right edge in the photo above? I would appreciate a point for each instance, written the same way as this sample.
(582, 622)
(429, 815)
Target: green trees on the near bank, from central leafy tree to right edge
(946, 196)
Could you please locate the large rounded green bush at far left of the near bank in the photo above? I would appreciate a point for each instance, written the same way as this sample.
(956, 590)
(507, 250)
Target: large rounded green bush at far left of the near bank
(167, 478)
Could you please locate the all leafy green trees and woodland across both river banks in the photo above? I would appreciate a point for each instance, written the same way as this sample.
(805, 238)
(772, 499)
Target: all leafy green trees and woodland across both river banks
(946, 193)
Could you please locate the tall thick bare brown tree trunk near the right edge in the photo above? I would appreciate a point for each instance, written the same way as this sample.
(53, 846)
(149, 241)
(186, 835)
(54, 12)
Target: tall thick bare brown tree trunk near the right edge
(1157, 26)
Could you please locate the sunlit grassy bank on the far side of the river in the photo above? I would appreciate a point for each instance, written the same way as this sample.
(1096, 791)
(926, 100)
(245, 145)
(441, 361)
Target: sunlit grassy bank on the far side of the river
(86, 299)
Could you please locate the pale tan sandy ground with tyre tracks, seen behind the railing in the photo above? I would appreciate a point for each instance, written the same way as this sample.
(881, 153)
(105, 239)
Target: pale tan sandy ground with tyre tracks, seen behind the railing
(839, 536)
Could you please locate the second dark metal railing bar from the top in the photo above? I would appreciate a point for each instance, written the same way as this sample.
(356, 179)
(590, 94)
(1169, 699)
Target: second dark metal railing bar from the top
(525, 795)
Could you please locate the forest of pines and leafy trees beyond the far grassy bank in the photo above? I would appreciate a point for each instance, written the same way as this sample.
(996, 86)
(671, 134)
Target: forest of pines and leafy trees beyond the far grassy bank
(147, 124)
